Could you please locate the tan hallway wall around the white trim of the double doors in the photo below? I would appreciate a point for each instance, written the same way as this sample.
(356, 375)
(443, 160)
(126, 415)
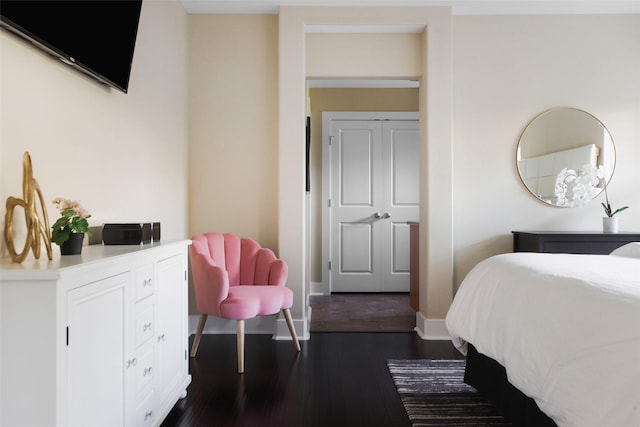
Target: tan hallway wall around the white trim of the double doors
(334, 99)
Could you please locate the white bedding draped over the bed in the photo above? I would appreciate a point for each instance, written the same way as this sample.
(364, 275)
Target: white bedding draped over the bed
(565, 327)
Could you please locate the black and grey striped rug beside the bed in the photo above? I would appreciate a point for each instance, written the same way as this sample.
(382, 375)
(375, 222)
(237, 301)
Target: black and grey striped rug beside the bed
(434, 394)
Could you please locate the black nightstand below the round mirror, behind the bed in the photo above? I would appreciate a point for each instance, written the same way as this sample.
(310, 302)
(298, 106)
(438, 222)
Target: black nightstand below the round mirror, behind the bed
(571, 242)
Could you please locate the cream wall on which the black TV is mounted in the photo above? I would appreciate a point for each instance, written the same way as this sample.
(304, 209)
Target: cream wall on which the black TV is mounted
(124, 156)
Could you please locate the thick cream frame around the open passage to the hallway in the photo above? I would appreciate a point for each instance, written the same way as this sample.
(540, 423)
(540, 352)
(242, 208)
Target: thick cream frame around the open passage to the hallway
(436, 140)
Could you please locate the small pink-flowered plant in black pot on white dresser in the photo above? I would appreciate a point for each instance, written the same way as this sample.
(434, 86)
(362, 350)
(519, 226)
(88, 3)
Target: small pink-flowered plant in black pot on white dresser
(69, 230)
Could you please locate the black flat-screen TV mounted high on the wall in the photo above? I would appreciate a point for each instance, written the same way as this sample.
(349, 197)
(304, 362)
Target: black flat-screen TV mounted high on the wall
(93, 36)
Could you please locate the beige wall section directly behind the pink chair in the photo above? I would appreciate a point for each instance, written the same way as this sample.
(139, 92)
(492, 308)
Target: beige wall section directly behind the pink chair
(233, 155)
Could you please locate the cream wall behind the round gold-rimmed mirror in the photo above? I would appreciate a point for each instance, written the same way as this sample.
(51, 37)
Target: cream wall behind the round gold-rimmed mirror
(507, 70)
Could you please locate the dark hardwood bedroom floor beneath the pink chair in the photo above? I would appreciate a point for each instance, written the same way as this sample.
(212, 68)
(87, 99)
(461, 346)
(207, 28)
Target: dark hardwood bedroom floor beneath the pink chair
(338, 379)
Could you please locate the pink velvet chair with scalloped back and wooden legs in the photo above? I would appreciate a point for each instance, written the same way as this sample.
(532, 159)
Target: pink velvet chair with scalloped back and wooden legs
(235, 278)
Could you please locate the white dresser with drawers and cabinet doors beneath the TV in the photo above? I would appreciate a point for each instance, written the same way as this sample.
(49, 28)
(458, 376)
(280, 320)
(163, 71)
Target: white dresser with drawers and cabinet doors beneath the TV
(98, 339)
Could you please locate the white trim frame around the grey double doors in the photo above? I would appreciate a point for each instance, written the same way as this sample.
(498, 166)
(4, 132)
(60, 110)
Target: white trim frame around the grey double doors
(328, 117)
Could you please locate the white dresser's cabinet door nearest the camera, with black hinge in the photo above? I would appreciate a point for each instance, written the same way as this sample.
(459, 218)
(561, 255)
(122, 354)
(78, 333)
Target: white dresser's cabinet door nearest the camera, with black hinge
(96, 316)
